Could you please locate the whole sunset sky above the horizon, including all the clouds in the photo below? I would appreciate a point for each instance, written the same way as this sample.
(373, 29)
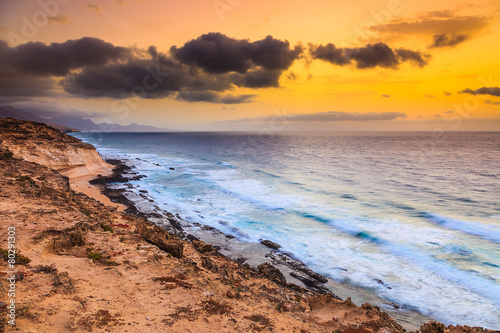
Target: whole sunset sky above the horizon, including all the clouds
(256, 65)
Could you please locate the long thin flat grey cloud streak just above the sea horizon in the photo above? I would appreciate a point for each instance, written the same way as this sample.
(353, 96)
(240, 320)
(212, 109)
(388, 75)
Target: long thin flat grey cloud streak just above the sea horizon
(334, 116)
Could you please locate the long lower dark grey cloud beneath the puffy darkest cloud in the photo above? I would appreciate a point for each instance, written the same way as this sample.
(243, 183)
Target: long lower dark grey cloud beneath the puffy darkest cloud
(160, 77)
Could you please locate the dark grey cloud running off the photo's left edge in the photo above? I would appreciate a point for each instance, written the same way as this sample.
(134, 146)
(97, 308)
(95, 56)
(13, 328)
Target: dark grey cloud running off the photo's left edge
(58, 59)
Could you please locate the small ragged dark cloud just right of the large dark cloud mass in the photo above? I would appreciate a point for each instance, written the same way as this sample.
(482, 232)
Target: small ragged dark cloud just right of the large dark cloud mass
(369, 56)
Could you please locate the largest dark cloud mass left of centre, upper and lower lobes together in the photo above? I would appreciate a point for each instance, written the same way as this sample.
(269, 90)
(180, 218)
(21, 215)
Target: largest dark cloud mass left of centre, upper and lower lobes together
(197, 71)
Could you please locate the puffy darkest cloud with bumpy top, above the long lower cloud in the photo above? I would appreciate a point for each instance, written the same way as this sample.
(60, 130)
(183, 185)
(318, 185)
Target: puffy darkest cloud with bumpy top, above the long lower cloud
(218, 53)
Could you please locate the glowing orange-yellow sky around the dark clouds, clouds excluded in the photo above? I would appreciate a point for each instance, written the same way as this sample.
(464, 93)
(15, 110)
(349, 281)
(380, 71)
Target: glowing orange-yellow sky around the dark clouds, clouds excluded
(428, 96)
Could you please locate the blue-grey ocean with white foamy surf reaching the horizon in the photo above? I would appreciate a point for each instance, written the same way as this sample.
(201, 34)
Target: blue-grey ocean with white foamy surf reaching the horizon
(412, 218)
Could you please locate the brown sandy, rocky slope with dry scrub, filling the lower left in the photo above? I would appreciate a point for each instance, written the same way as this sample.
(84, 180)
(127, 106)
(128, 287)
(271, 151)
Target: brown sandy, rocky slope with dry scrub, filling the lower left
(83, 266)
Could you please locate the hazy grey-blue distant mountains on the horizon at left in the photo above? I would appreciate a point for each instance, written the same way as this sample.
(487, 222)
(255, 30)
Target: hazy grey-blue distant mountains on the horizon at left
(70, 123)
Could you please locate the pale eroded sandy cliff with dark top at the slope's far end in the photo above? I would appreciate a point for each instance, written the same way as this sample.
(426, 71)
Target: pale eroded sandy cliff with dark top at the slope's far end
(45, 145)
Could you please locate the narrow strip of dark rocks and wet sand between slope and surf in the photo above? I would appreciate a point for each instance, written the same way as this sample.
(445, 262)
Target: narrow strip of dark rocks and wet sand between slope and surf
(250, 254)
